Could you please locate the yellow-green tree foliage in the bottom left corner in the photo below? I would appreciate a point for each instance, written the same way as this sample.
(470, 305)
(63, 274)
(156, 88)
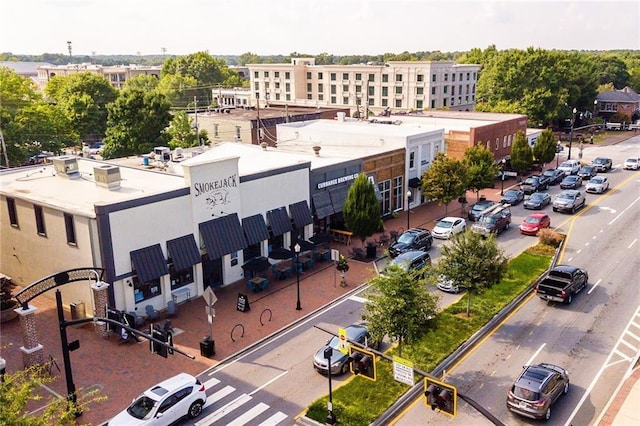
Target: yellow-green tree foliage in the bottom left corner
(20, 389)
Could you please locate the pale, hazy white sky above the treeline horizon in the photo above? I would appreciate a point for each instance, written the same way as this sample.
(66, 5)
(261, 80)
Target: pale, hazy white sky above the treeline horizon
(337, 27)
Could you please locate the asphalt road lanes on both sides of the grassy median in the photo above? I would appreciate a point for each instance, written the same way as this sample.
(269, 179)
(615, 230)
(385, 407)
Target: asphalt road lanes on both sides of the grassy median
(594, 337)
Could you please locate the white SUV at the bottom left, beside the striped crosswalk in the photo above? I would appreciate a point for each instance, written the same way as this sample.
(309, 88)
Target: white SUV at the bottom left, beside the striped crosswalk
(165, 403)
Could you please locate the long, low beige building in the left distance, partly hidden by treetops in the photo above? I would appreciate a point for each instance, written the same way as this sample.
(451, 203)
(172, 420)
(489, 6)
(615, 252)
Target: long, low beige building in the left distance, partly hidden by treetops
(116, 75)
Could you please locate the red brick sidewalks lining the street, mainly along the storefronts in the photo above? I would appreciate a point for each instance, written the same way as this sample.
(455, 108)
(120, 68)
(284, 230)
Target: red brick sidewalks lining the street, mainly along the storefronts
(122, 370)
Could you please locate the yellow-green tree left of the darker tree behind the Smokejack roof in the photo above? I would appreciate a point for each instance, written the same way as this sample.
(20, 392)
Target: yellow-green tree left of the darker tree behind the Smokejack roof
(84, 98)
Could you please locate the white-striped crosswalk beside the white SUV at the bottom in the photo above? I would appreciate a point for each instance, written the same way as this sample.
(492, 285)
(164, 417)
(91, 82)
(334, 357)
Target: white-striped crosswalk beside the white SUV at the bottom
(235, 409)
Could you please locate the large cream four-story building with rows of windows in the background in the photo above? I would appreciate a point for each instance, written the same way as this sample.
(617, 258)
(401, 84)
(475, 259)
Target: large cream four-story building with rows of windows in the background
(367, 88)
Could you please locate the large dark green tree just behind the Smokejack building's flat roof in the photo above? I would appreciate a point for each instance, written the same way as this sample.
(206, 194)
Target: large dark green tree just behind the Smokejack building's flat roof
(137, 123)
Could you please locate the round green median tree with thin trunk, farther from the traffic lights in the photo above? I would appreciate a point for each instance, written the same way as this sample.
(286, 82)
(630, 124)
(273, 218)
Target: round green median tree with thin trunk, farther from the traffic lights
(473, 262)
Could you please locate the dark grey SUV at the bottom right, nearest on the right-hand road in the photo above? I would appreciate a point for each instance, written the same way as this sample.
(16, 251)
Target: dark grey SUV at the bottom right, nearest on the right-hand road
(536, 389)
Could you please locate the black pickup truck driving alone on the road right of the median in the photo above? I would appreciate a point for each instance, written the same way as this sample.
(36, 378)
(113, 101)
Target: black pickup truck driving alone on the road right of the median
(561, 283)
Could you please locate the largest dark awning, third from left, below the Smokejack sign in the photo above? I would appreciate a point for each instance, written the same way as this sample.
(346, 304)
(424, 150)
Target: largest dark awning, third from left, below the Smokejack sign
(223, 235)
